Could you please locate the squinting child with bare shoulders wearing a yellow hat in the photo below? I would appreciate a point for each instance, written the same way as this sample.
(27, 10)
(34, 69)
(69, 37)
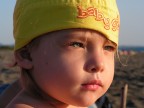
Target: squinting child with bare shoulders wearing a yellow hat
(65, 49)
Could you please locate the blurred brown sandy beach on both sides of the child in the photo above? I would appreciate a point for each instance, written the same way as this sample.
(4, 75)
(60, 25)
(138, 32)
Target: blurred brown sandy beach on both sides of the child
(129, 69)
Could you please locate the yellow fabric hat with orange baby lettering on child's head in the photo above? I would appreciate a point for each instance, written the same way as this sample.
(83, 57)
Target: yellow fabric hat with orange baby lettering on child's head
(33, 18)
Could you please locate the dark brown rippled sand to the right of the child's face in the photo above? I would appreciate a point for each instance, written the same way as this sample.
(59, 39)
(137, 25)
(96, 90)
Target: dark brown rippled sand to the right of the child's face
(133, 75)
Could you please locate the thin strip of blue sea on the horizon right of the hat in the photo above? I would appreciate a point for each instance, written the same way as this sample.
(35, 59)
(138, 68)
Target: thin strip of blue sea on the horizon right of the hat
(132, 48)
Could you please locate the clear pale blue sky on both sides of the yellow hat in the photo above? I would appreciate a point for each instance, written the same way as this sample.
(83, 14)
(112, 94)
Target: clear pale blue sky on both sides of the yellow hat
(131, 28)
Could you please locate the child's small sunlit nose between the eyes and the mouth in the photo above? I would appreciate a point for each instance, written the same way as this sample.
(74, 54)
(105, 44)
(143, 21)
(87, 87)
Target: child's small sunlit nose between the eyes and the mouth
(95, 62)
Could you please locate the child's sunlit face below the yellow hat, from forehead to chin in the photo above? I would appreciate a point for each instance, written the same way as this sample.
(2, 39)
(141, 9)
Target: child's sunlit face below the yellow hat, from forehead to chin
(74, 66)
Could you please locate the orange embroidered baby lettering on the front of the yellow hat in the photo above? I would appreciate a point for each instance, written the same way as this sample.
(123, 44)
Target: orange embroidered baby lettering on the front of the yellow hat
(99, 16)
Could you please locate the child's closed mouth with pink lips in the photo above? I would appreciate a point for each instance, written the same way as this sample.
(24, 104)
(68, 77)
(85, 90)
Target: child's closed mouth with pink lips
(92, 85)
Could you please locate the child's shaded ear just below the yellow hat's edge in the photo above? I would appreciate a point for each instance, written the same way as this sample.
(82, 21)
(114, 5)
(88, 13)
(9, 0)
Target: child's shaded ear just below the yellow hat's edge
(23, 62)
